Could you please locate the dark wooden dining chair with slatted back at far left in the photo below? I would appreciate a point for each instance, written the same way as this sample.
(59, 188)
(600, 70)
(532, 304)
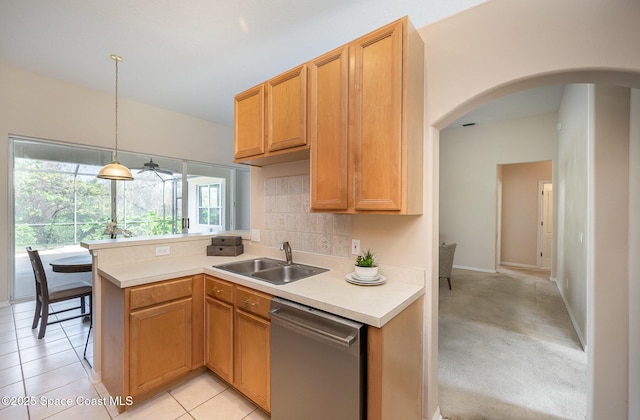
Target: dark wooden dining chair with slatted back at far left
(46, 295)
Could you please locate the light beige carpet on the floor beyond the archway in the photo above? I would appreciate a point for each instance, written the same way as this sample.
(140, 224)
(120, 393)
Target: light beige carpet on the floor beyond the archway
(508, 350)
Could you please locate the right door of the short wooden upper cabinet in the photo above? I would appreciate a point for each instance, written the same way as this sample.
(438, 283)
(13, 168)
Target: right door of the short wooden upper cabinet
(287, 110)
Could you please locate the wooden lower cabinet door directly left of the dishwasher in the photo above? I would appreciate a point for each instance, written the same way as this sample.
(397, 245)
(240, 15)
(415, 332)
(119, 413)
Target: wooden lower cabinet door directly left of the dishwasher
(252, 358)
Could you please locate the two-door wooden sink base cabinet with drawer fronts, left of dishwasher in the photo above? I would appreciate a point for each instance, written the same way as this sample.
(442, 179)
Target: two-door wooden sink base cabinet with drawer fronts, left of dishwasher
(238, 338)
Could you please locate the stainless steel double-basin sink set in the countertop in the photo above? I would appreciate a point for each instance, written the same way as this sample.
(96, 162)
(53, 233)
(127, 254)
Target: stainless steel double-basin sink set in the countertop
(270, 270)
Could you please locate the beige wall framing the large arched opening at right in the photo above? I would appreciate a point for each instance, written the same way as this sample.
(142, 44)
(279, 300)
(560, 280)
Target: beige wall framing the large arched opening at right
(501, 47)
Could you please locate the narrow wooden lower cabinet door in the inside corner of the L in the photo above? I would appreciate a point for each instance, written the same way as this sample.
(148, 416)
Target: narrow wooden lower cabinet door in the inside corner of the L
(219, 338)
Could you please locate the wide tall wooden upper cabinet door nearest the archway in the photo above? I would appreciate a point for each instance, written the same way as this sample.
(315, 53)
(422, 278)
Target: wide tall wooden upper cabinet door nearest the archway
(377, 139)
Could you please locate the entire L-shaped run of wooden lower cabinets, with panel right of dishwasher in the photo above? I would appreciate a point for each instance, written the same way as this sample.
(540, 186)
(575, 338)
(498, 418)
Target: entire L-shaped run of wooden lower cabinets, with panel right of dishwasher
(155, 336)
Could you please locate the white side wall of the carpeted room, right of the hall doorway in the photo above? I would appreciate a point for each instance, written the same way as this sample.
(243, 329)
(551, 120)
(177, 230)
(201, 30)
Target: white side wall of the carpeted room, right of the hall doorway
(571, 198)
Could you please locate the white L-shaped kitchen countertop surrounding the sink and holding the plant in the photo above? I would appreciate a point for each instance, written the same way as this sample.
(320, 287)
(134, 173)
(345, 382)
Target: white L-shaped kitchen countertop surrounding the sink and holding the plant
(329, 291)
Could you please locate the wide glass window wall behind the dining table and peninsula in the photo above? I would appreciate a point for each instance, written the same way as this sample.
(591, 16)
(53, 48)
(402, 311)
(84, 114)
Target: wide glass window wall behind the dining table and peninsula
(57, 201)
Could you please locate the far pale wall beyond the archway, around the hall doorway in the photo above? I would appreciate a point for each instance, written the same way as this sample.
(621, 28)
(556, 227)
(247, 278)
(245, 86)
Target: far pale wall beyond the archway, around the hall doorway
(469, 157)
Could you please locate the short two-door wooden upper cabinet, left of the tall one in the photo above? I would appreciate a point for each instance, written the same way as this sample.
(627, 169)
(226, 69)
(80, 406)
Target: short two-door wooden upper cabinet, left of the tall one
(270, 124)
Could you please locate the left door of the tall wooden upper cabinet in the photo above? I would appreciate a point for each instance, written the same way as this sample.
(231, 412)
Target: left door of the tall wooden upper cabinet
(328, 129)
